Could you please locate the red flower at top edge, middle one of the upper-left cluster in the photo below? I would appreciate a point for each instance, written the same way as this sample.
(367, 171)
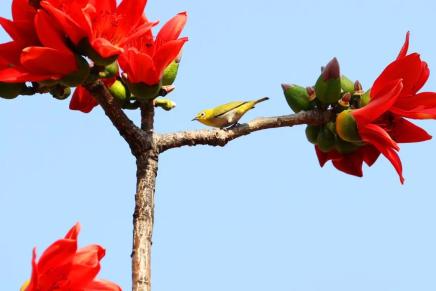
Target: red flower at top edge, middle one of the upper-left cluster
(104, 26)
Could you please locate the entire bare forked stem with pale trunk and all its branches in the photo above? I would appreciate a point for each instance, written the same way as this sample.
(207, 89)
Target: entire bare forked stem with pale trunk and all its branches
(146, 145)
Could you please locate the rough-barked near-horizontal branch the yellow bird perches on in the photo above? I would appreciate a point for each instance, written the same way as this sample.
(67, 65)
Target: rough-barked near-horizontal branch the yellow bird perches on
(220, 137)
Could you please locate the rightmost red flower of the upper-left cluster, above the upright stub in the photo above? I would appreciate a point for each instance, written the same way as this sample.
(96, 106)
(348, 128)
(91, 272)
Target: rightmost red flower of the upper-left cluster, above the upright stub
(145, 58)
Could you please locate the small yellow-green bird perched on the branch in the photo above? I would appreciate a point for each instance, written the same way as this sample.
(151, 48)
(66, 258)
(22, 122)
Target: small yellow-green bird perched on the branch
(227, 114)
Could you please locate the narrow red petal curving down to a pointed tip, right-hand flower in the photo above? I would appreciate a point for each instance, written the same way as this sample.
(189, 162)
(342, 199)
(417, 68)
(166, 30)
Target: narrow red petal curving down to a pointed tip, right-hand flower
(378, 137)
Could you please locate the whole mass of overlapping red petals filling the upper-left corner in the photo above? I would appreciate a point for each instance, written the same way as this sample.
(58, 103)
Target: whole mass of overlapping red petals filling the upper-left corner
(49, 35)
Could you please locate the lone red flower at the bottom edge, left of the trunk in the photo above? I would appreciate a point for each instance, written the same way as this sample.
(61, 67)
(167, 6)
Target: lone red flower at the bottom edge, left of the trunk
(63, 267)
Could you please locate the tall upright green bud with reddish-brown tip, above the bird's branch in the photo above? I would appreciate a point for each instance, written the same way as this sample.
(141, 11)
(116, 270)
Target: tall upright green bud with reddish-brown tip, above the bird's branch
(328, 85)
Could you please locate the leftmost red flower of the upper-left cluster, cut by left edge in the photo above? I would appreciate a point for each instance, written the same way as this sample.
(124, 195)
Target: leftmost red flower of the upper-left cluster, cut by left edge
(37, 51)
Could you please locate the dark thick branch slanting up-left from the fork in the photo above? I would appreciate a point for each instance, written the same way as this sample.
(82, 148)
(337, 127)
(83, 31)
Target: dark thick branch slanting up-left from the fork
(127, 129)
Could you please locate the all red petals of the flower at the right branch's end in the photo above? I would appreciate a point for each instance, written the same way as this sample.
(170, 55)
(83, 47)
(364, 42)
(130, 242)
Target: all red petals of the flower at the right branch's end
(381, 124)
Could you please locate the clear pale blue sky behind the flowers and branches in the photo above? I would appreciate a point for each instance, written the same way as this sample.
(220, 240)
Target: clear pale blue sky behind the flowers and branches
(259, 214)
